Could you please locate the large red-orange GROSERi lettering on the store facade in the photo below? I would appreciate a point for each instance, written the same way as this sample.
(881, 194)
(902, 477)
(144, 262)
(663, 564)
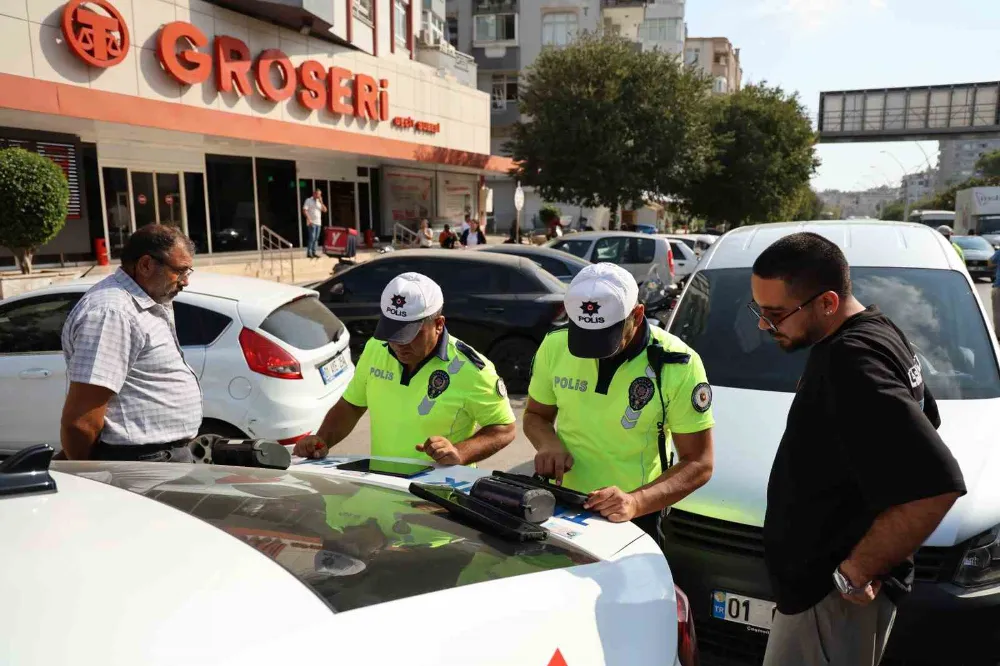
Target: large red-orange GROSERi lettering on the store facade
(313, 85)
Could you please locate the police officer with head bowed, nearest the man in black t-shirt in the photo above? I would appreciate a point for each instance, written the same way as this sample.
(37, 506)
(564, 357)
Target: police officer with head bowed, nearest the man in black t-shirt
(619, 387)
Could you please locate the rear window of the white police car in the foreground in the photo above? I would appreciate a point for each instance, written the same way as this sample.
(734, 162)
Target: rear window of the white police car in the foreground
(355, 545)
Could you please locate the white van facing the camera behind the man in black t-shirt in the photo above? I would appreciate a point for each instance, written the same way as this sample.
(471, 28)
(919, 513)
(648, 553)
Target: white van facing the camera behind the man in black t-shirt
(713, 539)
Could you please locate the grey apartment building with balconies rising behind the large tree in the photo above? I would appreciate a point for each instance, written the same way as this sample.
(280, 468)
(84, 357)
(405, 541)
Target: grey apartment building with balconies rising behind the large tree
(506, 36)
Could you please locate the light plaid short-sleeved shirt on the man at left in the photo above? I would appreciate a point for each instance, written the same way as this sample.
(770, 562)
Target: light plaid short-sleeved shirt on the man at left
(120, 338)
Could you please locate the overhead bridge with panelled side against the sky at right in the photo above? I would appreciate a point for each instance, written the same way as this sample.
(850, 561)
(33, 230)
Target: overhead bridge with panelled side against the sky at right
(918, 113)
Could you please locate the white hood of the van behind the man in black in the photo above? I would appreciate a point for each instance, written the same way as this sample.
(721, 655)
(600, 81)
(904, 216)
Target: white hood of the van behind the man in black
(749, 425)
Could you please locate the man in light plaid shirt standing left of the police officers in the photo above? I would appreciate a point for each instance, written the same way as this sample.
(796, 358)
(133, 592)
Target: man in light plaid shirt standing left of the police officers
(131, 394)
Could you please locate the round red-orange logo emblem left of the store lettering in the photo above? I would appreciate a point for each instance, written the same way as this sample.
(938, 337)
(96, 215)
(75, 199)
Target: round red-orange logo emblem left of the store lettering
(99, 38)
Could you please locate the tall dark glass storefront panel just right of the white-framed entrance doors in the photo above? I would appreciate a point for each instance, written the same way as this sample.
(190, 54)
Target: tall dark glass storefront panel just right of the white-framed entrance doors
(230, 203)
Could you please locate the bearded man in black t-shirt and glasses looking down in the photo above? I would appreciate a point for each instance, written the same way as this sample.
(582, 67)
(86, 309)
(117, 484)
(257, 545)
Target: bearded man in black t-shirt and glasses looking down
(861, 477)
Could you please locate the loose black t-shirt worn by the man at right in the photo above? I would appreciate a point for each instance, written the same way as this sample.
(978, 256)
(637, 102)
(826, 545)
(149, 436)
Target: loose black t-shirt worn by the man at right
(861, 437)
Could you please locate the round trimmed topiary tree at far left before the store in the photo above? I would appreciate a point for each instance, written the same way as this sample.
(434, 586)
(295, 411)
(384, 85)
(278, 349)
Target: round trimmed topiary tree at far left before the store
(34, 202)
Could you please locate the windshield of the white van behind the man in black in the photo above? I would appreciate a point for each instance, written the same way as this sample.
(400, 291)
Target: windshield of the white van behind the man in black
(935, 309)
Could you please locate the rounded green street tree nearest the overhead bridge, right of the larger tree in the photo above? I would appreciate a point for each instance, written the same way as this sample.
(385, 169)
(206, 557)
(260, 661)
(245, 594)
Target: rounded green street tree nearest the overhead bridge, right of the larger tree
(762, 156)
